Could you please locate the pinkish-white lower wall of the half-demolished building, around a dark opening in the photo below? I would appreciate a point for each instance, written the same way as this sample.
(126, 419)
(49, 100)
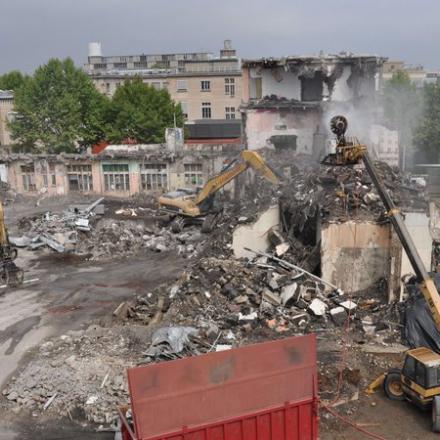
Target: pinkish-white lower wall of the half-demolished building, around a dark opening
(263, 124)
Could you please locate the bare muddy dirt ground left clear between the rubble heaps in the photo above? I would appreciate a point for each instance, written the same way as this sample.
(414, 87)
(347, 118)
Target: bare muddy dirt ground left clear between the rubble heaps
(72, 293)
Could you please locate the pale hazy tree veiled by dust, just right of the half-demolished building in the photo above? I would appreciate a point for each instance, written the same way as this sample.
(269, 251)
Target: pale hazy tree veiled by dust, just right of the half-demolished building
(402, 109)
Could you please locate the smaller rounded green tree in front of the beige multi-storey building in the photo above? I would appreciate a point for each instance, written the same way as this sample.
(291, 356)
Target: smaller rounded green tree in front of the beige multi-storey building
(141, 112)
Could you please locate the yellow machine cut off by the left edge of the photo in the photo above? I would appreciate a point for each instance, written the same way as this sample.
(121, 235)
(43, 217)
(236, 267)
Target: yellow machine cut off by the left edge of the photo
(10, 274)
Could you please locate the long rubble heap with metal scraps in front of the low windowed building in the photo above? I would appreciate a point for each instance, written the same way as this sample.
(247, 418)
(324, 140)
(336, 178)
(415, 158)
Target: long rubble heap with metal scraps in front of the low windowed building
(96, 236)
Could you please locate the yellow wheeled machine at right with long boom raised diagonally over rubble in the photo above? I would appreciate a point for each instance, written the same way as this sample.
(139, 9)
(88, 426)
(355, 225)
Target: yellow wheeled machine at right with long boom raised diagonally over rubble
(419, 379)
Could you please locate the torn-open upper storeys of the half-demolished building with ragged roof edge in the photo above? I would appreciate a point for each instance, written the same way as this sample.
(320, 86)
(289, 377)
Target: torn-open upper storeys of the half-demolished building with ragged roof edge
(288, 101)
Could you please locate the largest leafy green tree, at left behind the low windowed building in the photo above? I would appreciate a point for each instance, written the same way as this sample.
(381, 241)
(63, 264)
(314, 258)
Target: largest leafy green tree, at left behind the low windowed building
(58, 110)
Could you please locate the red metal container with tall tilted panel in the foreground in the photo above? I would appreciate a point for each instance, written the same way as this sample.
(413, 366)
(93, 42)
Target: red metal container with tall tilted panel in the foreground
(265, 391)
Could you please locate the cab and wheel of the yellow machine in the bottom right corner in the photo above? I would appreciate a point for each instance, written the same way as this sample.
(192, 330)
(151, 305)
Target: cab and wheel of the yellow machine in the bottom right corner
(418, 382)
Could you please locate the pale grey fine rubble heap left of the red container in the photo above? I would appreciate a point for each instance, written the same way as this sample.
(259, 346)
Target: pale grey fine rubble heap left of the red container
(81, 372)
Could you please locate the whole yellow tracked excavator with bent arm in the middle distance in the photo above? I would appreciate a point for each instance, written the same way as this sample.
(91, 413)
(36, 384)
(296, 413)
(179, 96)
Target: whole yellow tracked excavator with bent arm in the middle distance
(189, 207)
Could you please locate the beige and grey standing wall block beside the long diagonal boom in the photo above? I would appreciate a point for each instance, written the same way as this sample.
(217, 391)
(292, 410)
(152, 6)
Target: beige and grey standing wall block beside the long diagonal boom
(355, 255)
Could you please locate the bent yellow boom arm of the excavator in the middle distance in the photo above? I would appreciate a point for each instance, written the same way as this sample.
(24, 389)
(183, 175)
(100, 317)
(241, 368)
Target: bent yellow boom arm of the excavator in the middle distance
(251, 159)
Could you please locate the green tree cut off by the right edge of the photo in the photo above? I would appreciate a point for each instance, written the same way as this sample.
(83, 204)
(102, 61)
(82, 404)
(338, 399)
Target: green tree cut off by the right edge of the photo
(427, 135)
